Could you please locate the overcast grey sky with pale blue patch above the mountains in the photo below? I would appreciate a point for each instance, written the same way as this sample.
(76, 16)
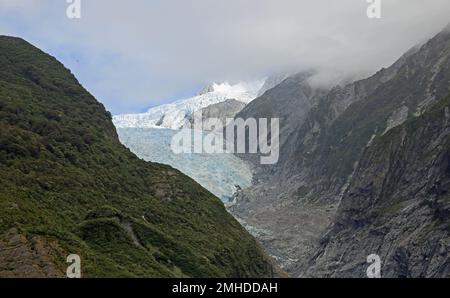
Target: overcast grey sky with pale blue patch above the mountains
(140, 53)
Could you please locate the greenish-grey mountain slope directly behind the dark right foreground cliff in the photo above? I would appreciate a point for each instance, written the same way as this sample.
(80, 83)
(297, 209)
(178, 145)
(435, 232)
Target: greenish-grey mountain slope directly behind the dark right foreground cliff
(420, 78)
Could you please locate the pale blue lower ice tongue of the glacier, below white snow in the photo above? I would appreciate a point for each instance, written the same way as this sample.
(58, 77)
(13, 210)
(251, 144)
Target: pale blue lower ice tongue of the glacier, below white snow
(218, 173)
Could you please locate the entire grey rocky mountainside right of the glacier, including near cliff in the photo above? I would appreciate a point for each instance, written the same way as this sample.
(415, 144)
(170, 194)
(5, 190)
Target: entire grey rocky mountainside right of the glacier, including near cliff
(329, 139)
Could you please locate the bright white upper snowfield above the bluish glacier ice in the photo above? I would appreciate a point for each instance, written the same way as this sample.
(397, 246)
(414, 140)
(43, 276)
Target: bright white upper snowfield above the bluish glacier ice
(178, 114)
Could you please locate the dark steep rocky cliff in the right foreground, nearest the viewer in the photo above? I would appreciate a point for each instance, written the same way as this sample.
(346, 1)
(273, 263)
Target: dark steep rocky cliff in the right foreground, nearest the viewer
(397, 205)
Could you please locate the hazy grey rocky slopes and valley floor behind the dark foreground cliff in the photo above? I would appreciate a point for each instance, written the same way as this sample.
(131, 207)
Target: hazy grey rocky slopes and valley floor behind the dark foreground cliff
(323, 136)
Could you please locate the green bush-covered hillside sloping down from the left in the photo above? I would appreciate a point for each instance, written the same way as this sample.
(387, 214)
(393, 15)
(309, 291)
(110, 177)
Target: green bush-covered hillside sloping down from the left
(67, 186)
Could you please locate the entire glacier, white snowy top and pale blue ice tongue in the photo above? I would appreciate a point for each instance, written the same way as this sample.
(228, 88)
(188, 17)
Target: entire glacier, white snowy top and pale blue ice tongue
(149, 136)
